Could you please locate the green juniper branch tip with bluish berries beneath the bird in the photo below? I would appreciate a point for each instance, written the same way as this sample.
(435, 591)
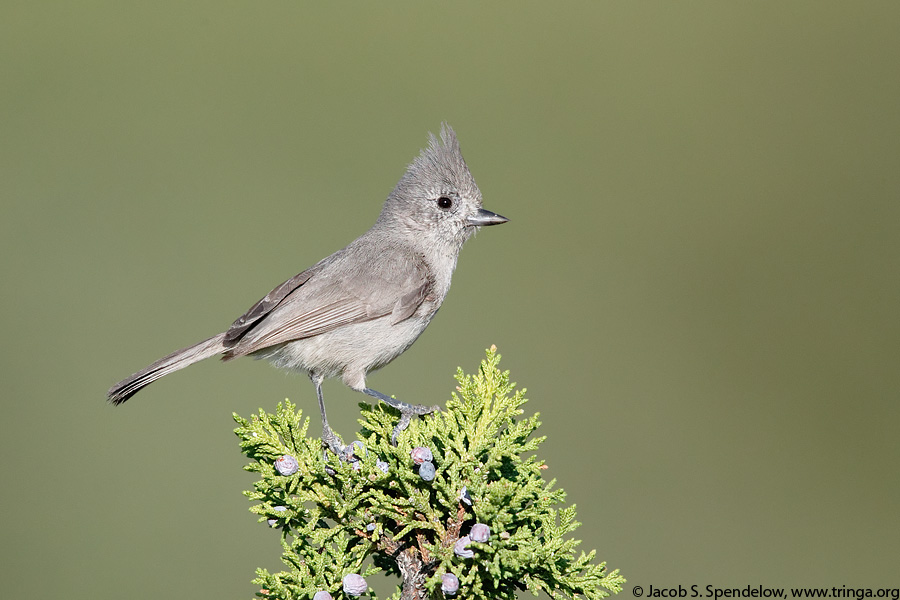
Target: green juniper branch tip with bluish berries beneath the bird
(363, 517)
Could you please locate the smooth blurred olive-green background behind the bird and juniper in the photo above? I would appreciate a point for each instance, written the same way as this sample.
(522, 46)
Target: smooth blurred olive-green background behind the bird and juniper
(699, 285)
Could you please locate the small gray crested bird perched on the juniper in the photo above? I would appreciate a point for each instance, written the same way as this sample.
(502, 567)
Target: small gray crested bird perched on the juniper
(361, 307)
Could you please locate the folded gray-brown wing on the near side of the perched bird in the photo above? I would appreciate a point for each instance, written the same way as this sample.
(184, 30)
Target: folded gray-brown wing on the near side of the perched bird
(320, 303)
